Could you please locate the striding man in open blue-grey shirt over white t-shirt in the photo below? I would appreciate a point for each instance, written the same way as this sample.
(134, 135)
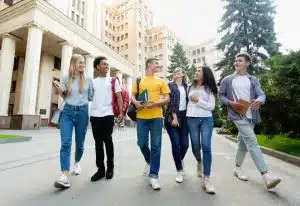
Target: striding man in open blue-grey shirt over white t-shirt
(242, 86)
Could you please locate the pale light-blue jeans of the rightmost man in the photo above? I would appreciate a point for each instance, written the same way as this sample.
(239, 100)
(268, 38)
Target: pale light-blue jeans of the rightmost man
(247, 142)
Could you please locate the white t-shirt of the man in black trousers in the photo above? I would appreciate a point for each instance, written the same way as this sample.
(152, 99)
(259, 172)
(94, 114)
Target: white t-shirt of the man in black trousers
(102, 100)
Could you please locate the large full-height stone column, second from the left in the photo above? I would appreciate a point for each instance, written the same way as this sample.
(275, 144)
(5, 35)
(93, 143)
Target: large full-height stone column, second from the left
(31, 71)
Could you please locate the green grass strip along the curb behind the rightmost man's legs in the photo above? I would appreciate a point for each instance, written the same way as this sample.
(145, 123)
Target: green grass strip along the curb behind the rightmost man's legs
(280, 143)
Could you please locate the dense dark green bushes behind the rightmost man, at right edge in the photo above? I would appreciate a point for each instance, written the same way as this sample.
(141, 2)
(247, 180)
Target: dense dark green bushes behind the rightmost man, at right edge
(281, 83)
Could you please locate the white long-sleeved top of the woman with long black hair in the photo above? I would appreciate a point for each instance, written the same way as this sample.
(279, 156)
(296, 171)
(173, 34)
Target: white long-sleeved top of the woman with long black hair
(204, 106)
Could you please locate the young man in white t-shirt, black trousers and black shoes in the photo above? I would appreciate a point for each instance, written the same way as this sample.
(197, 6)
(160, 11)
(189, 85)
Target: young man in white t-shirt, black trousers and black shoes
(102, 118)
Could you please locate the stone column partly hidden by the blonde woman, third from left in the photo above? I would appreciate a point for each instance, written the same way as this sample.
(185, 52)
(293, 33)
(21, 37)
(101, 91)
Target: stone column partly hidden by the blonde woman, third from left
(66, 55)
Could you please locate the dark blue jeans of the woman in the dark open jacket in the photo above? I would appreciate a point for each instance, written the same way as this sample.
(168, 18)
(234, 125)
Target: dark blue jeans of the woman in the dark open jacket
(179, 139)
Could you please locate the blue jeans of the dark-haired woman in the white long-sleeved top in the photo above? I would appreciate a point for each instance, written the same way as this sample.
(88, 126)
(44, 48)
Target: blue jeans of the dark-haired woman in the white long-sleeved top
(200, 129)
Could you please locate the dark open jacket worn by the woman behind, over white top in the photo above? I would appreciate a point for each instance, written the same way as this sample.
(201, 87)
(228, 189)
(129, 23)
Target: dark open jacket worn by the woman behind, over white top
(175, 96)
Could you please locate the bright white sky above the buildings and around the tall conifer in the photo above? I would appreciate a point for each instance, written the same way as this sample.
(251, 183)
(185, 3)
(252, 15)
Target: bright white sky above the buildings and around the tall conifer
(195, 21)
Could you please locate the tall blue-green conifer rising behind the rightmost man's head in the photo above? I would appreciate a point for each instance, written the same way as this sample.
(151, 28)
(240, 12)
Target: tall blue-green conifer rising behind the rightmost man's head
(248, 26)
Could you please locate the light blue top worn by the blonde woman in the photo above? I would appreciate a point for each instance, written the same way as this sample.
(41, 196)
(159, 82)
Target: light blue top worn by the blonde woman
(77, 98)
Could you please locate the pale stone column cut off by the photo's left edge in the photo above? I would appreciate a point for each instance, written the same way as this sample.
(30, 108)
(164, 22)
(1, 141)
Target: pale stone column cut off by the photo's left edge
(6, 70)
